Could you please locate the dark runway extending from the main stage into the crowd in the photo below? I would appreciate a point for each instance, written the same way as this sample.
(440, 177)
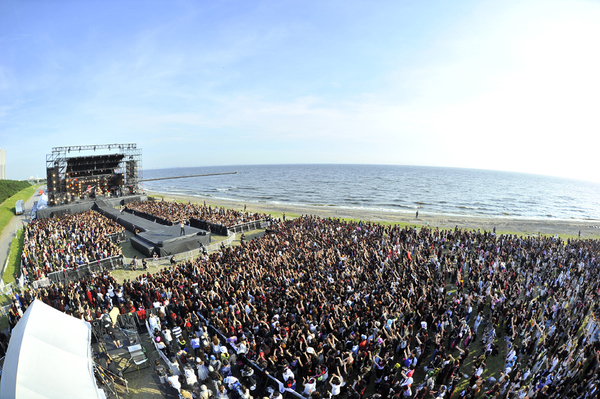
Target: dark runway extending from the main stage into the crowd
(154, 237)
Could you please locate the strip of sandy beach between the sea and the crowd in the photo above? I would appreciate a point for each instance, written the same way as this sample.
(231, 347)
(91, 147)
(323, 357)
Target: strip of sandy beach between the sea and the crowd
(589, 229)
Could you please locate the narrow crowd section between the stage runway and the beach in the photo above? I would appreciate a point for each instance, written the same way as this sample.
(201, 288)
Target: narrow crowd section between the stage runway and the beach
(176, 212)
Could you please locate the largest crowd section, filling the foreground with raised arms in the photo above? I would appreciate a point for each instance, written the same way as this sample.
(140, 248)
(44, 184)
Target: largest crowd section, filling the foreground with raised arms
(361, 310)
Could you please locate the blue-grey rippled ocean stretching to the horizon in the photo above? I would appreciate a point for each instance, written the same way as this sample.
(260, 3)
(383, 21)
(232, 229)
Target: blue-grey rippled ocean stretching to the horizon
(406, 189)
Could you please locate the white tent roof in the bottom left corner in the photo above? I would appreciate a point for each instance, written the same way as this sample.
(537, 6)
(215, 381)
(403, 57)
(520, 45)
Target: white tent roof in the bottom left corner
(49, 356)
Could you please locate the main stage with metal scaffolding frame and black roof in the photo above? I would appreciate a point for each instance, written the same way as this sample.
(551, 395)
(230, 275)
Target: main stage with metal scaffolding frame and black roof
(79, 172)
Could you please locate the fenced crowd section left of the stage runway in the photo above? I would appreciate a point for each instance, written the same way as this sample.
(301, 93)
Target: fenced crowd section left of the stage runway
(67, 242)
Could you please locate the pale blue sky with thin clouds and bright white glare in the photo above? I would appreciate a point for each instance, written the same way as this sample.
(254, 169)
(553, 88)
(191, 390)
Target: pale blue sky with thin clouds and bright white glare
(510, 85)
